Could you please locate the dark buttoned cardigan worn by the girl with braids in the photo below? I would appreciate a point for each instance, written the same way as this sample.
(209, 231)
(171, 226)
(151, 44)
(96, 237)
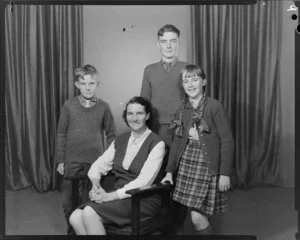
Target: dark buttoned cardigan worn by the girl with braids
(217, 143)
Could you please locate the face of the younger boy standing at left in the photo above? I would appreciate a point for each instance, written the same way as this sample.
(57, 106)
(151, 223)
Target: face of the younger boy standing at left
(87, 86)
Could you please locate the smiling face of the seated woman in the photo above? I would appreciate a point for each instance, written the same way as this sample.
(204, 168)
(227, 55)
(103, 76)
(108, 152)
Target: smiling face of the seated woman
(136, 117)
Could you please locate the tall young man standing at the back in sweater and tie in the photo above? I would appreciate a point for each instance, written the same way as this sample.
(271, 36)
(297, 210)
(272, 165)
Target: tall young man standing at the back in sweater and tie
(161, 82)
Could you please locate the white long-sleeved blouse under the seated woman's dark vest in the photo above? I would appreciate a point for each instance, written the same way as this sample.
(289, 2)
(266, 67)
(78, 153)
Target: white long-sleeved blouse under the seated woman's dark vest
(148, 172)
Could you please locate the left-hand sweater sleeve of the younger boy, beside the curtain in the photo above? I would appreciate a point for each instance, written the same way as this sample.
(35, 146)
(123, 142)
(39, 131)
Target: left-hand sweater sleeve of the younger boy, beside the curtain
(61, 135)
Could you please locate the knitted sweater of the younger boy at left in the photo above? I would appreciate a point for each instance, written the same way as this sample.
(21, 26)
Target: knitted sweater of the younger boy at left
(81, 131)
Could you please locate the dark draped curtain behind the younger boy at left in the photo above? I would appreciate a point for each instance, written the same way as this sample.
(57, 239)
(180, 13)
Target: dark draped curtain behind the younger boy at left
(43, 45)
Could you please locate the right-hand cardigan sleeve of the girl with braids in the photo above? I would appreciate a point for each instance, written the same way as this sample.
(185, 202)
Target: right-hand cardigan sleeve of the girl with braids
(226, 138)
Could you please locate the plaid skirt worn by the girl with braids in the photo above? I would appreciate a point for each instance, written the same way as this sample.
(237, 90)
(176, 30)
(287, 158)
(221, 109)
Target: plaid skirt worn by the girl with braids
(195, 187)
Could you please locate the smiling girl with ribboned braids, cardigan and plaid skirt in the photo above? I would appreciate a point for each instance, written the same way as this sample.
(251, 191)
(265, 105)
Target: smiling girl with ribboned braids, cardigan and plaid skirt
(201, 152)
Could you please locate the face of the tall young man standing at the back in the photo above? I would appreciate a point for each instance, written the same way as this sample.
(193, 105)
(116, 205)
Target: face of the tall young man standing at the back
(168, 45)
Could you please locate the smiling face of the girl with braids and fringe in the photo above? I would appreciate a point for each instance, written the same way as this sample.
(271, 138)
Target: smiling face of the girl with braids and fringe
(193, 85)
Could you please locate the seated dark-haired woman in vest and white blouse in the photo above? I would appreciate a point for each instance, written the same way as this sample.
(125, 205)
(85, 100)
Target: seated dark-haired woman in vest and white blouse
(135, 158)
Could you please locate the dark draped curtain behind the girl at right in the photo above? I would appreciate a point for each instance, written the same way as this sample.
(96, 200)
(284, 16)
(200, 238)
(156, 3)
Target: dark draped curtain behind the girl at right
(239, 48)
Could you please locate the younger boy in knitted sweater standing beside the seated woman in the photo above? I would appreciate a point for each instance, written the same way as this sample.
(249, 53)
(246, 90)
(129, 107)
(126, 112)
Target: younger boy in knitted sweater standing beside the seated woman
(85, 121)
